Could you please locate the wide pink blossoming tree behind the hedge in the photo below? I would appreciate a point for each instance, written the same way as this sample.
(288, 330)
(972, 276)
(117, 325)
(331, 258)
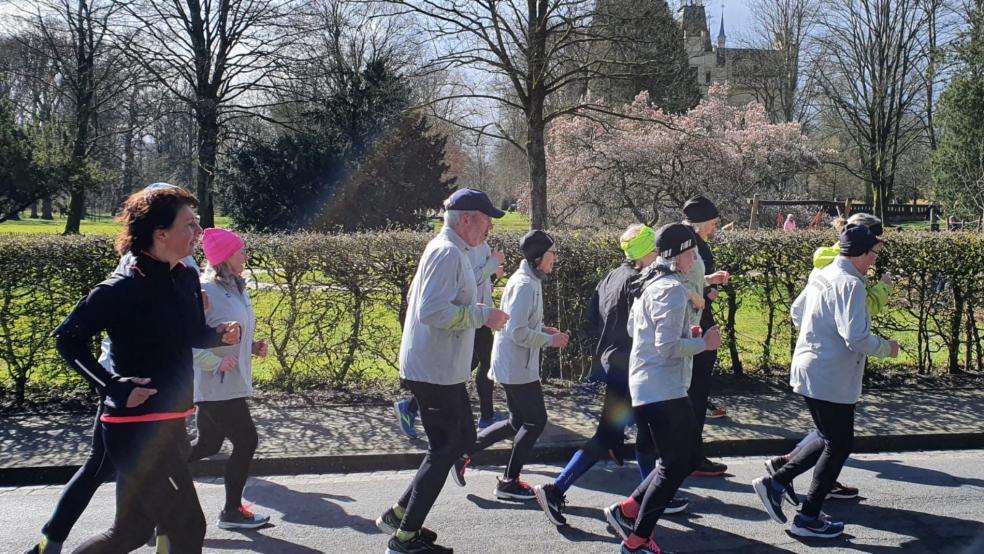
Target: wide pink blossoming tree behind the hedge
(643, 166)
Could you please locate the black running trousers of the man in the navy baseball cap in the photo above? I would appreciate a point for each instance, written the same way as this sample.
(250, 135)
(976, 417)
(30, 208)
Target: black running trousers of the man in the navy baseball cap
(445, 412)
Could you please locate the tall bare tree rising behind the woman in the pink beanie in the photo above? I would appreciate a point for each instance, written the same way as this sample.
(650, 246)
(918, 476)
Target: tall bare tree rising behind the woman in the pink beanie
(215, 55)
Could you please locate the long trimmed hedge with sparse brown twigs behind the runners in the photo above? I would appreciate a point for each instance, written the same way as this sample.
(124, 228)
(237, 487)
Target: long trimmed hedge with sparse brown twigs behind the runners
(331, 305)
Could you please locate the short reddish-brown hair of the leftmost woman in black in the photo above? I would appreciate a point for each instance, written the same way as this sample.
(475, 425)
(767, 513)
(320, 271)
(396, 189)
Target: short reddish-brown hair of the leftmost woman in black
(146, 211)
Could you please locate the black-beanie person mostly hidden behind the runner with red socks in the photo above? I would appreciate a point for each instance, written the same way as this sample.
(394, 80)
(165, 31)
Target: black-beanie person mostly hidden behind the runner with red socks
(703, 217)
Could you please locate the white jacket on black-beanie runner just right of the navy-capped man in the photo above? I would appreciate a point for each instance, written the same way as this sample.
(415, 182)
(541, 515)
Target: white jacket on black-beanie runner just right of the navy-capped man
(516, 349)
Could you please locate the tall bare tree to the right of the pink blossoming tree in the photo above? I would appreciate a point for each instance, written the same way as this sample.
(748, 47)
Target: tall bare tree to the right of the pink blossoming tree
(873, 62)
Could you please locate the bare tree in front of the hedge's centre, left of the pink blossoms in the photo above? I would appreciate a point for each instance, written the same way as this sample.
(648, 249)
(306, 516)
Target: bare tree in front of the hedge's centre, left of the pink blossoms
(538, 48)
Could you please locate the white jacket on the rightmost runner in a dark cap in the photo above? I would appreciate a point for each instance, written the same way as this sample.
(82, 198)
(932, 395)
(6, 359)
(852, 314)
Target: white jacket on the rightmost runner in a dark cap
(835, 335)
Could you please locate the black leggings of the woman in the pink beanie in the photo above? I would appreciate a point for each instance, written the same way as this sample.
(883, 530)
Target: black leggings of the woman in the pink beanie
(230, 419)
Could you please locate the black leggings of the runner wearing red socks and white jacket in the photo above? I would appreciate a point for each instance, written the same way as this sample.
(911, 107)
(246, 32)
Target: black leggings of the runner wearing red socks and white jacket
(674, 431)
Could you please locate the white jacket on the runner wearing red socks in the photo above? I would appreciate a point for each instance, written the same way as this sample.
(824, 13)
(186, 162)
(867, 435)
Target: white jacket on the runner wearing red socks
(661, 360)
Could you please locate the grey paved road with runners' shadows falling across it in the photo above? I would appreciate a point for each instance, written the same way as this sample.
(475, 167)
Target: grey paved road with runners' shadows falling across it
(912, 502)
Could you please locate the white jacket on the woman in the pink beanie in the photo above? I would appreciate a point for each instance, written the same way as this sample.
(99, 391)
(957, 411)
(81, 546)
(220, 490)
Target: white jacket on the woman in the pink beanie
(210, 385)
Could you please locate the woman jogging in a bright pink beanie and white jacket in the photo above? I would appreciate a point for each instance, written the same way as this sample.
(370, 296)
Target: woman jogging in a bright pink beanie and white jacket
(224, 375)
